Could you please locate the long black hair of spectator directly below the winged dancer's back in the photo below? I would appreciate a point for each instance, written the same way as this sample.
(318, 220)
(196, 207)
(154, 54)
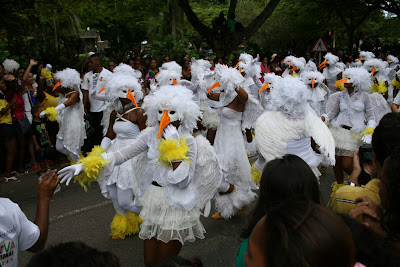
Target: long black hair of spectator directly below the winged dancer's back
(289, 177)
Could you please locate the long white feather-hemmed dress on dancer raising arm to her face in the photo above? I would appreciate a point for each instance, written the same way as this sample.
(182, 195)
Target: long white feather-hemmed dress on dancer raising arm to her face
(230, 148)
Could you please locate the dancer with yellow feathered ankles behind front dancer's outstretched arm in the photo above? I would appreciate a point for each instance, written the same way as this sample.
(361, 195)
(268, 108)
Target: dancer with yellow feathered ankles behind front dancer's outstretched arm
(125, 123)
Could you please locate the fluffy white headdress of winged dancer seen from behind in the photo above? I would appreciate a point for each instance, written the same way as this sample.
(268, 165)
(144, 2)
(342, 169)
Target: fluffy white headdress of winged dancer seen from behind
(288, 97)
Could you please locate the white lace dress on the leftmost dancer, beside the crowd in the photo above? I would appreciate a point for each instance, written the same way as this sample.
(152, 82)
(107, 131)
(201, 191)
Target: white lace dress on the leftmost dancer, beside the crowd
(72, 126)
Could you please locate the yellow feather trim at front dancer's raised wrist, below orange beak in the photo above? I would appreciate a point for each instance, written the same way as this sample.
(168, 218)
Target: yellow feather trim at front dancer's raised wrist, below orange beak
(173, 150)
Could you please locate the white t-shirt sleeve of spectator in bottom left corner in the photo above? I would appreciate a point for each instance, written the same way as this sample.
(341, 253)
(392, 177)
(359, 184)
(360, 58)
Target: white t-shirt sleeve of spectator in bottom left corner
(28, 231)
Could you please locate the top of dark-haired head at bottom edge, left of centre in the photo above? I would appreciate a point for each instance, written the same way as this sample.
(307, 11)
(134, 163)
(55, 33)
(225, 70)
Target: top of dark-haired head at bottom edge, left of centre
(75, 254)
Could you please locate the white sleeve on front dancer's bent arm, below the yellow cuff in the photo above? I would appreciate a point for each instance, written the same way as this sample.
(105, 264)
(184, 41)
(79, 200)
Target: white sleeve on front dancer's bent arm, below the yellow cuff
(183, 175)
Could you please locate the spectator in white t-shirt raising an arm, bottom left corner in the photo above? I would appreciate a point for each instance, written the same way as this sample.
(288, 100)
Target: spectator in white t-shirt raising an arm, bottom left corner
(17, 233)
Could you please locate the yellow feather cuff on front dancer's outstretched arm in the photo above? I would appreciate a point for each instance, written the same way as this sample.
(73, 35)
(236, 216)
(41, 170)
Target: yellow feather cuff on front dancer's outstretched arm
(92, 163)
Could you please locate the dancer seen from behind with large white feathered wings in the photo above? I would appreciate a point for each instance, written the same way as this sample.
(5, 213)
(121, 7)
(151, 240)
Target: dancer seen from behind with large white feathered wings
(289, 129)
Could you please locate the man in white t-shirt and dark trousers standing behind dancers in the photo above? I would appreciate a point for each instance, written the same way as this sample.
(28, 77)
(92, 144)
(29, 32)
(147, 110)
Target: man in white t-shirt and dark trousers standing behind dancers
(95, 80)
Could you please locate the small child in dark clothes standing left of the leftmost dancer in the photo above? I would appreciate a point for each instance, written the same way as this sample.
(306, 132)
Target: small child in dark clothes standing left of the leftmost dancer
(41, 140)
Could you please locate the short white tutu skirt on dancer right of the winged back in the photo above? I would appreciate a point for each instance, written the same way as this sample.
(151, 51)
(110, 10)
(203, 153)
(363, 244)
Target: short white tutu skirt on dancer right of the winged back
(346, 141)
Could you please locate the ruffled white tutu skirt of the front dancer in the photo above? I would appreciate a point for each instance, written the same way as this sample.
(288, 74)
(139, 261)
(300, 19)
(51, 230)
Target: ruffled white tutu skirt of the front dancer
(166, 222)
